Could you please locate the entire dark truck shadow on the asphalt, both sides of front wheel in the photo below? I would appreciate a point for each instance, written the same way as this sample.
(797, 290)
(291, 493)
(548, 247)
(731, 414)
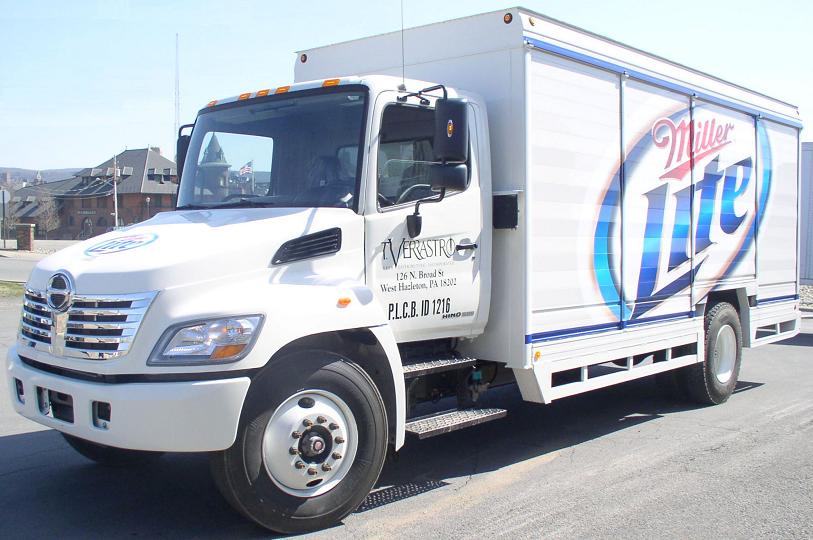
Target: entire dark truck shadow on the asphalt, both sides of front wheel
(49, 490)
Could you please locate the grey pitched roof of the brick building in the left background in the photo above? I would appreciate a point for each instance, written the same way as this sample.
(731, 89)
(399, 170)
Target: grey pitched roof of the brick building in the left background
(136, 167)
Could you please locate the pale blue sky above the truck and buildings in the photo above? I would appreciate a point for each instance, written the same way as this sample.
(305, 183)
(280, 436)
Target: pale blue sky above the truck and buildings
(83, 80)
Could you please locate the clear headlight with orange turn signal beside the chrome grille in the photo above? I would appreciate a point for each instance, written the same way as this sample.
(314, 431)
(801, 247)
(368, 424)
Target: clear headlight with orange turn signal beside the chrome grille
(207, 342)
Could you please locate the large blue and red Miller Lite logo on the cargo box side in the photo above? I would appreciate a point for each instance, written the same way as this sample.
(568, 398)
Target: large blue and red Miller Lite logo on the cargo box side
(693, 194)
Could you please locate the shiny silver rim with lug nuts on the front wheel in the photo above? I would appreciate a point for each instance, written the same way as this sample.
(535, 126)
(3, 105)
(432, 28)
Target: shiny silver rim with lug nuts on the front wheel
(310, 443)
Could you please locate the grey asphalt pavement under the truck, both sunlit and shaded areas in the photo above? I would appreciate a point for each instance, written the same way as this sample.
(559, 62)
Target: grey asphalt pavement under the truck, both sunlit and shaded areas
(623, 462)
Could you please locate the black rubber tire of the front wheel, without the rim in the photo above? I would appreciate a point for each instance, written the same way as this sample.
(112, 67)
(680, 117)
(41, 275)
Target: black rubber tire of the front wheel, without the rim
(240, 472)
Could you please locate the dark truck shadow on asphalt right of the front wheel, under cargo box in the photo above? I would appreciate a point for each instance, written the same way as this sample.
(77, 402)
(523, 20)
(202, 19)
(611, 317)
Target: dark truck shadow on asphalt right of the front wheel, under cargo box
(529, 431)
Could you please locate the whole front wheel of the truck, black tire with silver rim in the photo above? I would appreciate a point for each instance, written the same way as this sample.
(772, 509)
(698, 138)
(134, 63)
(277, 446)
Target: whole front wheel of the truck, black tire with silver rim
(311, 444)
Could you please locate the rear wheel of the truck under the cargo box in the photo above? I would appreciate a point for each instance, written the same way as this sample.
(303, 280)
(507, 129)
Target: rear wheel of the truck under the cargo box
(701, 380)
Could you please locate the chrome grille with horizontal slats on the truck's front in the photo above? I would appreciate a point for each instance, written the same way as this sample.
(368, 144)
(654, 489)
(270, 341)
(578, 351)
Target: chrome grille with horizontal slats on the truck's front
(93, 328)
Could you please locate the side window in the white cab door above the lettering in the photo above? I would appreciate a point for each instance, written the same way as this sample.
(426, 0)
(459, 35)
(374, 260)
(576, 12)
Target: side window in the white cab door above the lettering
(404, 154)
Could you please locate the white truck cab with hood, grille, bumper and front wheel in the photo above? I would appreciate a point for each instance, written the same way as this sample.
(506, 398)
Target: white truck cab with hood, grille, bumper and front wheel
(319, 226)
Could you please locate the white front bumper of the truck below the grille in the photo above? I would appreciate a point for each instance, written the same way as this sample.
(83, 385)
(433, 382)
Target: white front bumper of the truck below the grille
(194, 416)
